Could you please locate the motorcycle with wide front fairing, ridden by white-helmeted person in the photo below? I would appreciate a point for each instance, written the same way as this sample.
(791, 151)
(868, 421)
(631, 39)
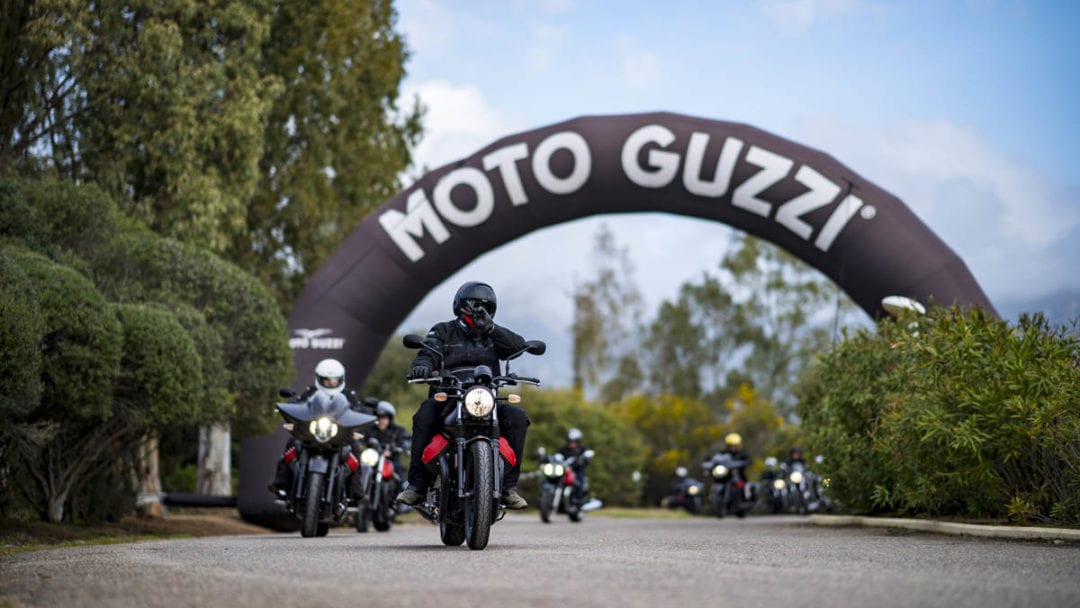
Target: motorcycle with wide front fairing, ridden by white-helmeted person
(325, 427)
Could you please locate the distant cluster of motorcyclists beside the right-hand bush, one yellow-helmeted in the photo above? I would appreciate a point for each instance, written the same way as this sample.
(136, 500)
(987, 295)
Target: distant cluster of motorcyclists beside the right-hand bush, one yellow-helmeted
(787, 488)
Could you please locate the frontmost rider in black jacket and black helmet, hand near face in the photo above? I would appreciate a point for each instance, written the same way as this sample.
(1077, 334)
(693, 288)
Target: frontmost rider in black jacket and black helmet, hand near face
(471, 339)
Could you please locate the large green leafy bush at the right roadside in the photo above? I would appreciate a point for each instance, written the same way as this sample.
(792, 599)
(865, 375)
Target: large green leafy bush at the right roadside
(953, 414)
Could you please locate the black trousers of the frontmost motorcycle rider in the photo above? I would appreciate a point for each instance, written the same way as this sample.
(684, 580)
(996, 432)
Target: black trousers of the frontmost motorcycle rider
(428, 421)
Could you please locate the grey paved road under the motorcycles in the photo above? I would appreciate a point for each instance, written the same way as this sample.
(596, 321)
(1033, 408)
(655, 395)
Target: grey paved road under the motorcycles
(603, 562)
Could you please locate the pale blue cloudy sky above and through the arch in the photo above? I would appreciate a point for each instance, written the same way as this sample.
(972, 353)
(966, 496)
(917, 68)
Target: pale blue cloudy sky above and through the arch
(963, 110)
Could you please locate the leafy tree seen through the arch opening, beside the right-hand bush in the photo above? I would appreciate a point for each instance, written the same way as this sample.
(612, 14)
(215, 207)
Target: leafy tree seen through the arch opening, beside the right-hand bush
(760, 322)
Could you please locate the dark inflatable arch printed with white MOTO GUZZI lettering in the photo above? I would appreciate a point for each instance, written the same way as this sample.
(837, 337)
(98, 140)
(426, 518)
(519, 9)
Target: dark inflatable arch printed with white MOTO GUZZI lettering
(863, 238)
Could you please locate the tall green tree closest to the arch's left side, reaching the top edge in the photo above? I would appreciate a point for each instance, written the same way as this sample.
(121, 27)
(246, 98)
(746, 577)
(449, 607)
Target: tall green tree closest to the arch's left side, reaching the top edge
(336, 141)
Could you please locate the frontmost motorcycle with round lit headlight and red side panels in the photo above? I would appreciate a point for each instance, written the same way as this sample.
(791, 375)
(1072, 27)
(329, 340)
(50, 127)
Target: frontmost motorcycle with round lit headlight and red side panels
(469, 455)
